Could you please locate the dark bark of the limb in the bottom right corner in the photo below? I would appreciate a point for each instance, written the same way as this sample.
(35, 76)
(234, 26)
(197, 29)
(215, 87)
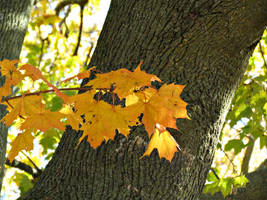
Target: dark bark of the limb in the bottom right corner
(256, 189)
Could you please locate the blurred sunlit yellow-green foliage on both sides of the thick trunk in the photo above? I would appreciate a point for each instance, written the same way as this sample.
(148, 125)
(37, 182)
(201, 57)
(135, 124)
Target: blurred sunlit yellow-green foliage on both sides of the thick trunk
(60, 40)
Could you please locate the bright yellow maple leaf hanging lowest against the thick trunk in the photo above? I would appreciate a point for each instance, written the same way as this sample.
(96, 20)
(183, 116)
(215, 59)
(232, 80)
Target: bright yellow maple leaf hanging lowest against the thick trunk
(164, 143)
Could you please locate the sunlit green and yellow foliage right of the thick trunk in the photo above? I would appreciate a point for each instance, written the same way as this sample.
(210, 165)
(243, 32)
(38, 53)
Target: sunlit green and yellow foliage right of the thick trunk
(245, 124)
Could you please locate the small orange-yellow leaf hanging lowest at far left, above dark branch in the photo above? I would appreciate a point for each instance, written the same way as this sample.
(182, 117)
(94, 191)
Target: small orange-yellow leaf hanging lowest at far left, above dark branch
(24, 141)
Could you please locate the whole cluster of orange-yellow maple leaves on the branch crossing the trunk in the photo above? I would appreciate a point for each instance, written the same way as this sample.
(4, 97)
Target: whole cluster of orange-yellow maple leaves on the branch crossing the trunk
(90, 113)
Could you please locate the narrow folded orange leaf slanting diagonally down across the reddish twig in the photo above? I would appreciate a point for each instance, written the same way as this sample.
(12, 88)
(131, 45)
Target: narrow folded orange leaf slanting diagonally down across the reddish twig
(36, 74)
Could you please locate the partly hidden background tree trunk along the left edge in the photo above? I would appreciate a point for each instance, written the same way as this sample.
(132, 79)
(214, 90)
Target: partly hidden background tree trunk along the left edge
(14, 17)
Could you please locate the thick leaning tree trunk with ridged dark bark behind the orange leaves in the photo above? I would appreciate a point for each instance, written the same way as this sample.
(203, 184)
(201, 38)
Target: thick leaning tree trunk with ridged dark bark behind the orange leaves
(202, 44)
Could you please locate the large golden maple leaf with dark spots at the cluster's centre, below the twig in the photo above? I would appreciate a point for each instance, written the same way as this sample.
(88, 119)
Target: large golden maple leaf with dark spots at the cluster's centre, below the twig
(102, 119)
